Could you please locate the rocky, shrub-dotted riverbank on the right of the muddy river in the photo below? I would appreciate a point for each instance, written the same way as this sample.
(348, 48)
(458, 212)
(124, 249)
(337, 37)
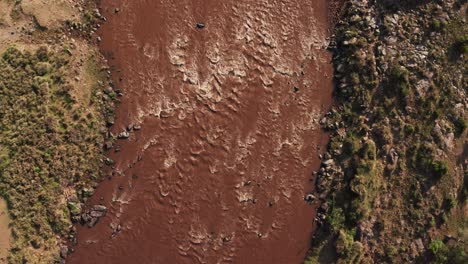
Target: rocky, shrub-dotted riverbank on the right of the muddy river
(393, 184)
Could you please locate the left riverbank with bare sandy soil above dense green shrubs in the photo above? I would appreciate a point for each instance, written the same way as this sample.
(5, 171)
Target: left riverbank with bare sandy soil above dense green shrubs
(52, 114)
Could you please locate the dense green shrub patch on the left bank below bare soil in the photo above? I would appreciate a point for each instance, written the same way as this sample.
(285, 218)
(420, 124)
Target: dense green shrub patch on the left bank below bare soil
(50, 150)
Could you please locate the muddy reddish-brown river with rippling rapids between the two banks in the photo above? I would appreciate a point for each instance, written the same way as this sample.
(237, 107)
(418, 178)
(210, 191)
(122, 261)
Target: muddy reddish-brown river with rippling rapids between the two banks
(229, 131)
